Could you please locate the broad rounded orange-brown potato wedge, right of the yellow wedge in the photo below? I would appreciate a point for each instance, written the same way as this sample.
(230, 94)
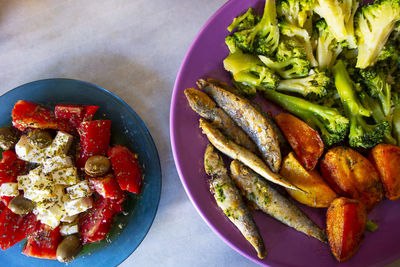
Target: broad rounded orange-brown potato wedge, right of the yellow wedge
(350, 174)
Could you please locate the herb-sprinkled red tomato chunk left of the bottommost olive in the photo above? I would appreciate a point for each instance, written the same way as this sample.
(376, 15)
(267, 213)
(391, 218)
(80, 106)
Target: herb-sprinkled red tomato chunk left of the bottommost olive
(43, 243)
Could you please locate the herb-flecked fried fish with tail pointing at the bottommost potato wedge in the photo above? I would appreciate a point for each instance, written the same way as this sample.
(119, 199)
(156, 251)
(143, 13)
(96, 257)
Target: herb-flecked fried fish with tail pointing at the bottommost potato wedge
(270, 201)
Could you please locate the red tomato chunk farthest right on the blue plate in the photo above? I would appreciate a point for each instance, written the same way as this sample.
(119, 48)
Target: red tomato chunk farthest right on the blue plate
(126, 168)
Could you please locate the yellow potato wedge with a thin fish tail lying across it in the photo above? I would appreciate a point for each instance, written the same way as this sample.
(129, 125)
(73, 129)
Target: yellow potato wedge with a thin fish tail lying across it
(319, 194)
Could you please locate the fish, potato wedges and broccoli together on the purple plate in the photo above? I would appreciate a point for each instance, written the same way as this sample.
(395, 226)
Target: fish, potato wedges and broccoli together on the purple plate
(334, 69)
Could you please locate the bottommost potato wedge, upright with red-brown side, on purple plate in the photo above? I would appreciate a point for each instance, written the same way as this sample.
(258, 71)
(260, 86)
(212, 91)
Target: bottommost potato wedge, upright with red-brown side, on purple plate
(345, 224)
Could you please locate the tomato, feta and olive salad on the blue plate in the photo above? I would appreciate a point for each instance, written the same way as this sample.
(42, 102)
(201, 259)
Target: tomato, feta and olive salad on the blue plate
(60, 181)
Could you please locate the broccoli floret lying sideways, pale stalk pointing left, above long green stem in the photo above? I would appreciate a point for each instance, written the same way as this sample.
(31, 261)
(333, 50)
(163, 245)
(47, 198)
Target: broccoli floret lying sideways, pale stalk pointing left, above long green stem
(315, 84)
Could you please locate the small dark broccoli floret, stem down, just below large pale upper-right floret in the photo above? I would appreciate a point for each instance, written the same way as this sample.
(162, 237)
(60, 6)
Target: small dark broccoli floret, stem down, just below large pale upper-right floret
(375, 79)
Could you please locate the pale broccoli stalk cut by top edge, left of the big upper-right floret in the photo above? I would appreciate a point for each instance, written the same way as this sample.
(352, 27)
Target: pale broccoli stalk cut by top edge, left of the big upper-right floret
(339, 15)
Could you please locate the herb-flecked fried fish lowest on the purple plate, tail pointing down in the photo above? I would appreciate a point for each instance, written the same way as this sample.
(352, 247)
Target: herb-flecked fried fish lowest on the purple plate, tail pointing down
(229, 199)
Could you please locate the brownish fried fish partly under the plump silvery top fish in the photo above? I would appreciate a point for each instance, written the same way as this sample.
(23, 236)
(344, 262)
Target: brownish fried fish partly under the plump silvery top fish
(203, 105)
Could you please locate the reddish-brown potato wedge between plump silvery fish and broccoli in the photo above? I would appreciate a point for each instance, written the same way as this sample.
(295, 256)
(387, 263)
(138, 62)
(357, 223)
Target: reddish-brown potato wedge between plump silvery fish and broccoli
(305, 141)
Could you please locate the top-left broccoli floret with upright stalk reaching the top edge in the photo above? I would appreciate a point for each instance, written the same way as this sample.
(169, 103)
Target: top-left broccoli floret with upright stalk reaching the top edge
(257, 36)
